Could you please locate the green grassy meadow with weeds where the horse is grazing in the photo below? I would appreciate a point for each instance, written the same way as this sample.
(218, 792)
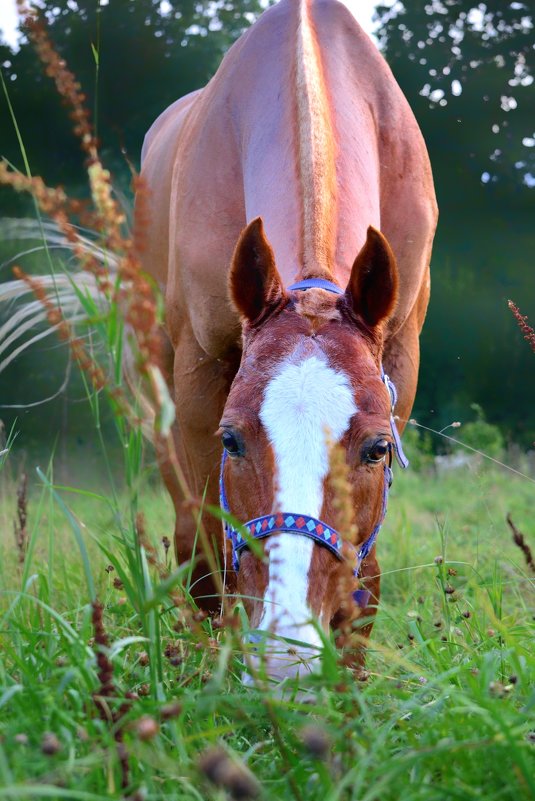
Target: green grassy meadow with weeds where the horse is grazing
(159, 712)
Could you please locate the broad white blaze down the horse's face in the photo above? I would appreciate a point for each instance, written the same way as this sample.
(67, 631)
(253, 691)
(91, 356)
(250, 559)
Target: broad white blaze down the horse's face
(307, 405)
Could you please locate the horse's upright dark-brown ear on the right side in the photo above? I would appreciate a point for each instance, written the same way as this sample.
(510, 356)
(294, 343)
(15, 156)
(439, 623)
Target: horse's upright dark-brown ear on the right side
(373, 286)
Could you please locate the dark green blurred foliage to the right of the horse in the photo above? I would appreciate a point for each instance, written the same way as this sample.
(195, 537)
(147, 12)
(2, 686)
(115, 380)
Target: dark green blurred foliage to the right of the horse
(485, 237)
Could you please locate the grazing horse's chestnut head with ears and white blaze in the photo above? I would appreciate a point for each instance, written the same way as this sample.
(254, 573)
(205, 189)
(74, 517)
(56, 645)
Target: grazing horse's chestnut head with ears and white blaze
(310, 376)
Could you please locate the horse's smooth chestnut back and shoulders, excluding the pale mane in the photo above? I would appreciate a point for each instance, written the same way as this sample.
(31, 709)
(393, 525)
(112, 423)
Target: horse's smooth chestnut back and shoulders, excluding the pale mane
(238, 158)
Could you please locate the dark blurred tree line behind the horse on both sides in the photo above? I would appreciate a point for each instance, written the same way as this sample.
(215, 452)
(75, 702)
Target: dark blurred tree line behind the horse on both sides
(467, 71)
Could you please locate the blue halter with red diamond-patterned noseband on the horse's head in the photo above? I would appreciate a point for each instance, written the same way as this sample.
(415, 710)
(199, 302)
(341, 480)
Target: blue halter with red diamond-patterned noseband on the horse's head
(304, 525)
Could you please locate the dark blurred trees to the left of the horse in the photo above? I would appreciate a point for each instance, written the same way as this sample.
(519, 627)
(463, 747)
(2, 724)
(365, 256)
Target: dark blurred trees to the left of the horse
(133, 58)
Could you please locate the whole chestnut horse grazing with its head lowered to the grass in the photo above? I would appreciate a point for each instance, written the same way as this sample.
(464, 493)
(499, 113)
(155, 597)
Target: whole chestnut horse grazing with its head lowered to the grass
(300, 144)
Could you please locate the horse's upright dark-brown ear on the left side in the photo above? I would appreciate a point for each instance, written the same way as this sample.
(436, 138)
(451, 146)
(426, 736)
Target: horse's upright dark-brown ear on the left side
(255, 284)
